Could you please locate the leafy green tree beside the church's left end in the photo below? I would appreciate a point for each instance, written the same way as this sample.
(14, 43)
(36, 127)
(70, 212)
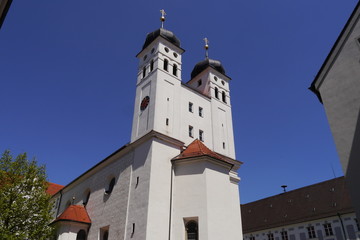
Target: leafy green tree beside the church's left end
(25, 207)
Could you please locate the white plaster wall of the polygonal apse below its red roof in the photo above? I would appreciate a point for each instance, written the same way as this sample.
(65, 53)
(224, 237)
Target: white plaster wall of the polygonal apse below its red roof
(203, 190)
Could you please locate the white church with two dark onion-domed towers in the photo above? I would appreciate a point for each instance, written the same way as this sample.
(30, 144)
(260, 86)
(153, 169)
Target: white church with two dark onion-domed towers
(177, 178)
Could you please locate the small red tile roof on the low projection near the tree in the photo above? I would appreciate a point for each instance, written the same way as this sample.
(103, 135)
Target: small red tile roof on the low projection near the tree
(74, 213)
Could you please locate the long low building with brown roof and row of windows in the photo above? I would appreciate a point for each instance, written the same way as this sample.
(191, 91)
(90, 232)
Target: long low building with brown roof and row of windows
(321, 211)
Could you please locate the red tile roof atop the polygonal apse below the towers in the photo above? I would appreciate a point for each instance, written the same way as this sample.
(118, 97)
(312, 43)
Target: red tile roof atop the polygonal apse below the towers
(197, 149)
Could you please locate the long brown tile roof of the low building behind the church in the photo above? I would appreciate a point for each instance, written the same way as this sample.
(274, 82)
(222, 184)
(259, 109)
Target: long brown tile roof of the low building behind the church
(312, 202)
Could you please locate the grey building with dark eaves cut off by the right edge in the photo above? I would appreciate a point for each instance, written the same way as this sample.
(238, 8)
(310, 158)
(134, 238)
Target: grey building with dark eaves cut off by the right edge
(337, 86)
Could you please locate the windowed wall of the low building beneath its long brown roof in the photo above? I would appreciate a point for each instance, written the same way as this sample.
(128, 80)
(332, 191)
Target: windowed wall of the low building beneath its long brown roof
(299, 231)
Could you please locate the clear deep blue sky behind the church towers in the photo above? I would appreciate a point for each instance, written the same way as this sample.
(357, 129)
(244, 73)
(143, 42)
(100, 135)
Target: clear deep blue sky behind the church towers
(68, 72)
